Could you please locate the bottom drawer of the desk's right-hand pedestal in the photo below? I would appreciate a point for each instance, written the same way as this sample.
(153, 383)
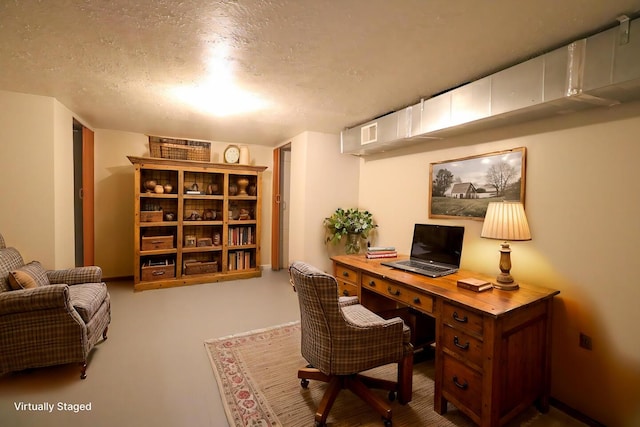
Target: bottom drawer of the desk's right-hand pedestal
(462, 384)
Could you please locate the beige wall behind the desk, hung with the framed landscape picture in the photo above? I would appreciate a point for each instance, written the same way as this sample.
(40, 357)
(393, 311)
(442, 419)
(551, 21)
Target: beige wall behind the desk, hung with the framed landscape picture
(583, 212)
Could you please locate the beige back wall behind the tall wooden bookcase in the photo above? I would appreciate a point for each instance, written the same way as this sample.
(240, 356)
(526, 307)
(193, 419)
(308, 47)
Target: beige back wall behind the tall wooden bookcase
(114, 197)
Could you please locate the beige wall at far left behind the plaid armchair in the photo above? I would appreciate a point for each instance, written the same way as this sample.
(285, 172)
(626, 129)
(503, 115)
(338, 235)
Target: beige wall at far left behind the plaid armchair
(37, 193)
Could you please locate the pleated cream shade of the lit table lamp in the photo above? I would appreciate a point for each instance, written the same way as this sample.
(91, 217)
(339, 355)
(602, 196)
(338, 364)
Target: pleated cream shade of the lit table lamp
(506, 221)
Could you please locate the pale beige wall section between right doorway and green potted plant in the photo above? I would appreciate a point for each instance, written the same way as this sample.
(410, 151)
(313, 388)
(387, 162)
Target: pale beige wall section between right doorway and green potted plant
(321, 180)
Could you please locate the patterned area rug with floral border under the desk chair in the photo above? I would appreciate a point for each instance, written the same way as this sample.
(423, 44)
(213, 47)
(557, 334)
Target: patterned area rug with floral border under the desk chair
(256, 373)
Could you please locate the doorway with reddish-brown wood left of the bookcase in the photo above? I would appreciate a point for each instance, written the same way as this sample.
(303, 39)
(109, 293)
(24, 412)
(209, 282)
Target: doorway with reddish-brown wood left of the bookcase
(83, 194)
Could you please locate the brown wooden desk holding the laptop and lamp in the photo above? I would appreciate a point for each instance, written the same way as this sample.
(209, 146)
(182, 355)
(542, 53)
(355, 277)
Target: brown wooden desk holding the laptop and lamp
(492, 347)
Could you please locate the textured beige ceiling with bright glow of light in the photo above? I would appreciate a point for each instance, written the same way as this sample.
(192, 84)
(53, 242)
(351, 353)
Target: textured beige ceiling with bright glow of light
(315, 65)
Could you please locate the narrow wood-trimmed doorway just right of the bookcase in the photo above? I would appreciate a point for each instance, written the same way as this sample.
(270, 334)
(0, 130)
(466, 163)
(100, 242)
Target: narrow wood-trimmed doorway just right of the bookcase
(280, 207)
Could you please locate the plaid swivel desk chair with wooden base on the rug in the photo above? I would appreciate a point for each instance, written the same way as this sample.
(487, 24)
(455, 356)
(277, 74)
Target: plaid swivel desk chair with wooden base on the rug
(341, 338)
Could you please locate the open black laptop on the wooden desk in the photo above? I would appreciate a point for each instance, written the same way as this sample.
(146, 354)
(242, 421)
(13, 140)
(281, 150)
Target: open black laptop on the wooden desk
(435, 250)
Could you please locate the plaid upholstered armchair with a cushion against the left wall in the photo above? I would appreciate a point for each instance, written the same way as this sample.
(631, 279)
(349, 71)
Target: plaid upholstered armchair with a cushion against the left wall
(49, 317)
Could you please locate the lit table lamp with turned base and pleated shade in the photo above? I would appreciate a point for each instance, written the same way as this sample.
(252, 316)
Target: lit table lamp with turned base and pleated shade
(505, 221)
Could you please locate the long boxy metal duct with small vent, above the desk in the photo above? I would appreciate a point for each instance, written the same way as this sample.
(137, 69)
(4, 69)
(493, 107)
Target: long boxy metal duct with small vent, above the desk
(601, 70)
